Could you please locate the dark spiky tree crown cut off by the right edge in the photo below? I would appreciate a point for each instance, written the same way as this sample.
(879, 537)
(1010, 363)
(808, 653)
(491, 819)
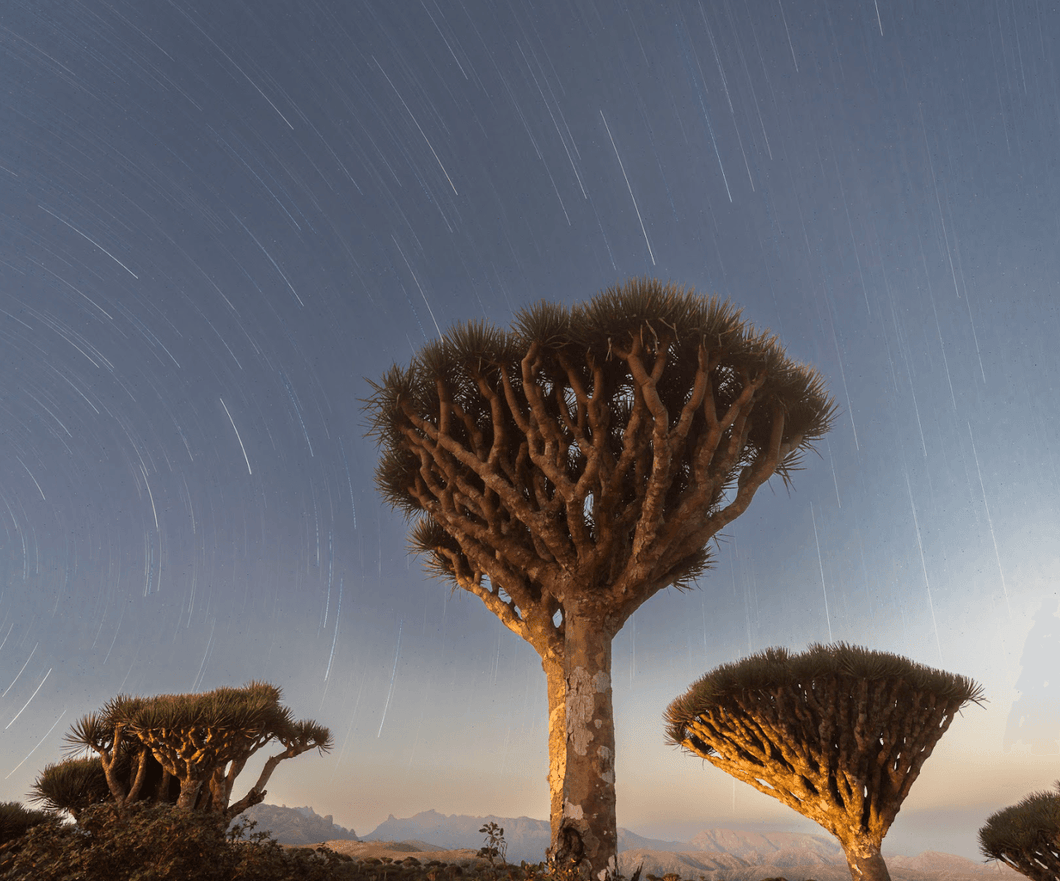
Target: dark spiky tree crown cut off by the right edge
(1027, 837)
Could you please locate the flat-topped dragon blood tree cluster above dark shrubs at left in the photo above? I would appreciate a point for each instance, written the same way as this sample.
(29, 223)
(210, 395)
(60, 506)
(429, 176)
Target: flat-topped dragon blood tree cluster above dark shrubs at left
(179, 749)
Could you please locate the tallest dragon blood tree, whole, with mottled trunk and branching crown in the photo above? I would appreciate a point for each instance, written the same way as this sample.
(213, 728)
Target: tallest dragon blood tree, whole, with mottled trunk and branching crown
(571, 468)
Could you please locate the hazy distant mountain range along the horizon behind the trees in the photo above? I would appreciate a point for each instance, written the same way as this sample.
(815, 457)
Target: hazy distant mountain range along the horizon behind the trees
(714, 855)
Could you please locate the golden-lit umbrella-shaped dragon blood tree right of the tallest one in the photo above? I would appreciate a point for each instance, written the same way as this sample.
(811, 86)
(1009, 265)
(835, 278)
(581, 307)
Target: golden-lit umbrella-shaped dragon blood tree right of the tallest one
(839, 734)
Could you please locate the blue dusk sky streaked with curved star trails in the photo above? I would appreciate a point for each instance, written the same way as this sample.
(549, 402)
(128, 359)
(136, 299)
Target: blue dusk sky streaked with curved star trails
(218, 221)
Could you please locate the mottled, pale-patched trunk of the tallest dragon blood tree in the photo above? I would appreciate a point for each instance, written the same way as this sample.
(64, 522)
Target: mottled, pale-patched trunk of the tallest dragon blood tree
(589, 834)
